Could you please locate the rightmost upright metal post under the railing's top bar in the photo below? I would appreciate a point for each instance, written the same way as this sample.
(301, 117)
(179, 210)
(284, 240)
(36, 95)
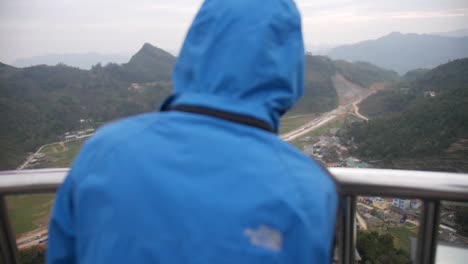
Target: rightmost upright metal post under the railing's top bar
(428, 233)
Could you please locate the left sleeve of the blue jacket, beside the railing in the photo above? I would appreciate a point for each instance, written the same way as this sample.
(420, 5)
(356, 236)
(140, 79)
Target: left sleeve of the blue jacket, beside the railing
(61, 241)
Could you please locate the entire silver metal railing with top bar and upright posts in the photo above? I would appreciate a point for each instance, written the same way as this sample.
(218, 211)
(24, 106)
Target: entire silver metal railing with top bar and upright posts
(430, 187)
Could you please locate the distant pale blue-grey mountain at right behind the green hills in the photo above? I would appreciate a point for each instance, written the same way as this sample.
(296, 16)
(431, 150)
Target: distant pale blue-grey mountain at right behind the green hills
(404, 52)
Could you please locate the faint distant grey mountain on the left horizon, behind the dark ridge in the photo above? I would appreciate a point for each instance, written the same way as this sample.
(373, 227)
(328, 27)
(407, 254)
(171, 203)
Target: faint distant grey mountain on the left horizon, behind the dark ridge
(79, 60)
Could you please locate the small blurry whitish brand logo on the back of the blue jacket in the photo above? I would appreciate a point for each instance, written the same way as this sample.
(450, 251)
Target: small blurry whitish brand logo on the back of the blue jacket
(265, 237)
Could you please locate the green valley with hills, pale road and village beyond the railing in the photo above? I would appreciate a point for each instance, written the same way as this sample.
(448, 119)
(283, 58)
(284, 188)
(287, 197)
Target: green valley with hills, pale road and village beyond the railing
(351, 115)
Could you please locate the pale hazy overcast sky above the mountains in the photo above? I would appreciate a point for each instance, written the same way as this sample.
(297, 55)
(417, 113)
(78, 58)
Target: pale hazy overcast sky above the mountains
(37, 27)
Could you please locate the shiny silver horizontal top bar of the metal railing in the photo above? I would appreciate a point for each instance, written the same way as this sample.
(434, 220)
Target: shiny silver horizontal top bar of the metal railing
(352, 181)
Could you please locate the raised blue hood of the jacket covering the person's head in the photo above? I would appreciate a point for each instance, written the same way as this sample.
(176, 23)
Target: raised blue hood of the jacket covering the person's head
(244, 57)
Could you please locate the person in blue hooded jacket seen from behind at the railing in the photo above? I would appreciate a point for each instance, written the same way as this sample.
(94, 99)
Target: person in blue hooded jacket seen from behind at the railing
(206, 180)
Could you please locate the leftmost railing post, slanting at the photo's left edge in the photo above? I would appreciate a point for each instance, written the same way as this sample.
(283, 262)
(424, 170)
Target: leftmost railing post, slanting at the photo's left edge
(7, 239)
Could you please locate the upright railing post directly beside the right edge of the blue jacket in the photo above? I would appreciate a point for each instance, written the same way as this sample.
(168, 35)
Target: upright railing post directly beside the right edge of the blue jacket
(347, 230)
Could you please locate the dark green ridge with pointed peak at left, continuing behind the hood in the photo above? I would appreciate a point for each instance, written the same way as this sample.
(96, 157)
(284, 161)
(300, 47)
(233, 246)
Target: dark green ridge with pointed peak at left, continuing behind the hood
(40, 103)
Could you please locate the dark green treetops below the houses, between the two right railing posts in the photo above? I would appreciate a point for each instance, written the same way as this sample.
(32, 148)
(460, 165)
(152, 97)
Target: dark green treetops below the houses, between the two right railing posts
(375, 248)
